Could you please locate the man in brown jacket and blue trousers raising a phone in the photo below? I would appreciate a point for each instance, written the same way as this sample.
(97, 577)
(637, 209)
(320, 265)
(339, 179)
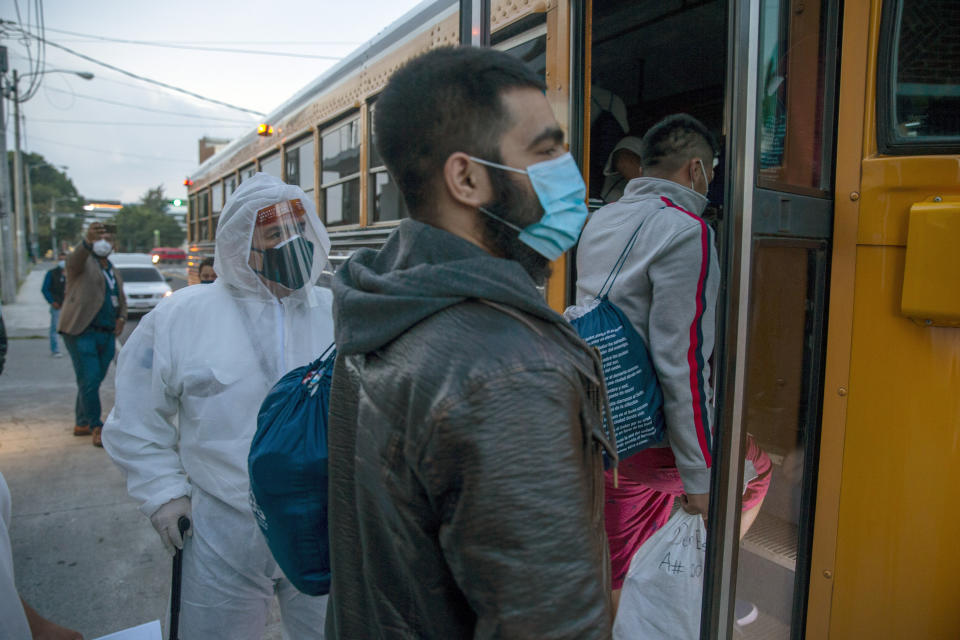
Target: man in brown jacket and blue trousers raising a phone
(93, 314)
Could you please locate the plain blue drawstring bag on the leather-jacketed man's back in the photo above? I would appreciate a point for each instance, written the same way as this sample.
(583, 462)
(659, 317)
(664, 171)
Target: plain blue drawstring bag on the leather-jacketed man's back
(288, 474)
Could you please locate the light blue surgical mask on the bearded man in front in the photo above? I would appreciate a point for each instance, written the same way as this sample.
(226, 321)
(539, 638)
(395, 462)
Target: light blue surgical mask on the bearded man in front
(562, 194)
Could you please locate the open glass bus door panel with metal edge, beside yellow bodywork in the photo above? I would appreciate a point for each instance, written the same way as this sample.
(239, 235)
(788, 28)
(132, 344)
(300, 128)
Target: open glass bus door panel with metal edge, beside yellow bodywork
(776, 245)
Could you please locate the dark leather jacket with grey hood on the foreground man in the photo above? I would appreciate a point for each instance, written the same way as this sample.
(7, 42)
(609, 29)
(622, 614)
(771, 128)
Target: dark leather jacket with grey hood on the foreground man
(466, 485)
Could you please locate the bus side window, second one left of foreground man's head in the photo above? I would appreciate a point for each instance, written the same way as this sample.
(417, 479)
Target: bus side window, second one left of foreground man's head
(340, 173)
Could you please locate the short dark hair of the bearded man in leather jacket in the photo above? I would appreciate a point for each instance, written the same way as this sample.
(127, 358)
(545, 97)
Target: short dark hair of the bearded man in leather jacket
(447, 100)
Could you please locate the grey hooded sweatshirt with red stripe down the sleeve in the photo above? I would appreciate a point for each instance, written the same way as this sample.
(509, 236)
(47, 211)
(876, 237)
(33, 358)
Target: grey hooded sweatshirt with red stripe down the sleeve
(668, 289)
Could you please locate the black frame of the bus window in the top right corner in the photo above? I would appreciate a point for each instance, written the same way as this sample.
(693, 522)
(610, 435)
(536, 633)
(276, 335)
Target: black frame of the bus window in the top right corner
(888, 143)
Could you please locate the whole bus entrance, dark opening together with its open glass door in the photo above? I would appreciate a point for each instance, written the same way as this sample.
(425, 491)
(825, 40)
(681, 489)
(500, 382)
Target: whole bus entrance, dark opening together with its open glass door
(761, 75)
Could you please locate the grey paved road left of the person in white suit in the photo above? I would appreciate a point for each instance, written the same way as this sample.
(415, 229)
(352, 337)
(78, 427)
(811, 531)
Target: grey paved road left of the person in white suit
(84, 555)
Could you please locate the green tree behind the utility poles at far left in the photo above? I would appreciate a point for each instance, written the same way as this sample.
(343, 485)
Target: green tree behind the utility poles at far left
(52, 190)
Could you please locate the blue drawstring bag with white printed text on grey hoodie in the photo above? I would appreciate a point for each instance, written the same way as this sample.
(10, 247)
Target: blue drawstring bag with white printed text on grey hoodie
(635, 398)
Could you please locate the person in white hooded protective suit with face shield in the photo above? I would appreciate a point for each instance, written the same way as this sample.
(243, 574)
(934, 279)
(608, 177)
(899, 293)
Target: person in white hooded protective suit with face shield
(190, 382)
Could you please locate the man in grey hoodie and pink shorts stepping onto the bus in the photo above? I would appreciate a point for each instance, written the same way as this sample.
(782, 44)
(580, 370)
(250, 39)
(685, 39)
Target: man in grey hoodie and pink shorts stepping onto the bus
(668, 289)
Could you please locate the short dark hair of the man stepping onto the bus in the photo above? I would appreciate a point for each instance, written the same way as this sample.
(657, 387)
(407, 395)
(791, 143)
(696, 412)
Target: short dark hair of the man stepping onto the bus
(675, 140)
